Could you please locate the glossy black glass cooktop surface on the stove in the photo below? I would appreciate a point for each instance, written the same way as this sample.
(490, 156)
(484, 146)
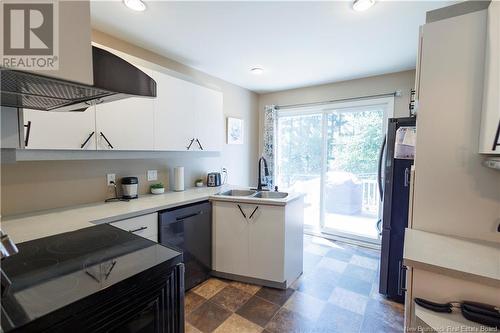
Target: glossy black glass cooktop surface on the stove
(52, 272)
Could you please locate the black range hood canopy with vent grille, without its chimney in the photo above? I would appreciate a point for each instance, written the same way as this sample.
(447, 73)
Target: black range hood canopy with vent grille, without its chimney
(114, 78)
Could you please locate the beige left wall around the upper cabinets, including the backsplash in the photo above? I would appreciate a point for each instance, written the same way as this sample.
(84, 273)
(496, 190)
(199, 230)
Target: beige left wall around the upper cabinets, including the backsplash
(33, 186)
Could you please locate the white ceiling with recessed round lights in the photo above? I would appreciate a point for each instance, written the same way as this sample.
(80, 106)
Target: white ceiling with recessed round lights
(297, 43)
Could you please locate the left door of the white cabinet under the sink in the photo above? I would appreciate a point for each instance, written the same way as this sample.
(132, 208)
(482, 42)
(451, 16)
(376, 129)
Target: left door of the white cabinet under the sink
(230, 239)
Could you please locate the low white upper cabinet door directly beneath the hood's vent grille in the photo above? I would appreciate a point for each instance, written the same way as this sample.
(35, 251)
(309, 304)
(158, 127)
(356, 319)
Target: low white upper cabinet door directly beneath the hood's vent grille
(60, 130)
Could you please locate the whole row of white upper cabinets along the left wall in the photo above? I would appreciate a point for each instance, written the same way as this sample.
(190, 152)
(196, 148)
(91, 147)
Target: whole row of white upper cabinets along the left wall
(183, 116)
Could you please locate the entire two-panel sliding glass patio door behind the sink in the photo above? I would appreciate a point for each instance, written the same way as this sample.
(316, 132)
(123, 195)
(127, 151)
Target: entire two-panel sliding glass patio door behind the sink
(331, 154)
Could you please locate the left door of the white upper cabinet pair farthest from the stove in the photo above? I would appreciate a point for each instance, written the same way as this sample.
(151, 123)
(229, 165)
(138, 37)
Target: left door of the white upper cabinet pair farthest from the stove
(174, 113)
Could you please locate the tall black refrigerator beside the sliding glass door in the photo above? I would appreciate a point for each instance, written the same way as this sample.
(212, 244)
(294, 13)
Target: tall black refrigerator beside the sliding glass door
(394, 184)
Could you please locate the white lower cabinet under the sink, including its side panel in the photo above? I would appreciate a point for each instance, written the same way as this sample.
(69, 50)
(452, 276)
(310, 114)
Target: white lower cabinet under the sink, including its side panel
(266, 246)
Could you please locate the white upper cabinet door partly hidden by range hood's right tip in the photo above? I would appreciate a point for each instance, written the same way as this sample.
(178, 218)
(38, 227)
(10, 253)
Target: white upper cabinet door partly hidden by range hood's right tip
(126, 124)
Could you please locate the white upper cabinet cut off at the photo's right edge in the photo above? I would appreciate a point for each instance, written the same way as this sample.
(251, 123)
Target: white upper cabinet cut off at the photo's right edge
(489, 140)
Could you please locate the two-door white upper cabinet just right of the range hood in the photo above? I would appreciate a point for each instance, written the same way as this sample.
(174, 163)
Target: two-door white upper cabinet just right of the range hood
(188, 116)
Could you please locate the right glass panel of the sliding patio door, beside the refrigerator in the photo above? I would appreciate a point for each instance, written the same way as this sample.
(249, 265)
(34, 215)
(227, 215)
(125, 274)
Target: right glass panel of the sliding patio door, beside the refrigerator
(351, 197)
